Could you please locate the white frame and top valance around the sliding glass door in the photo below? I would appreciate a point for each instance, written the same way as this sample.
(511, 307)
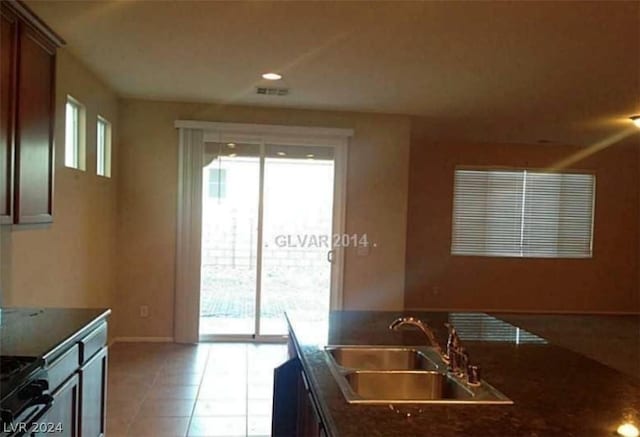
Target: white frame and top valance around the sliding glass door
(192, 136)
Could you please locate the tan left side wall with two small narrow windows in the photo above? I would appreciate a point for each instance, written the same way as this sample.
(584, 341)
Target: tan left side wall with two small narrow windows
(70, 262)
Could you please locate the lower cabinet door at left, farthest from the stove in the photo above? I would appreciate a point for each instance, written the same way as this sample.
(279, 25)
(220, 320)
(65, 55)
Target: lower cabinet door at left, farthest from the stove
(93, 383)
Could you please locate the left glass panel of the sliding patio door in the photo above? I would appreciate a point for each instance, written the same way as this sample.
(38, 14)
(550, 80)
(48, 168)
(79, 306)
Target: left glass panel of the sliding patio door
(230, 199)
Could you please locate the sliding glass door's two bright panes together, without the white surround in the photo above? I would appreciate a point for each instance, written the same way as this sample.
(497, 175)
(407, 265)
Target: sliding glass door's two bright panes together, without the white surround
(267, 219)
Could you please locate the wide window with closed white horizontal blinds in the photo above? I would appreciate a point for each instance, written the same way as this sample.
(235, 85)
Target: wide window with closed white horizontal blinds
(523, 213)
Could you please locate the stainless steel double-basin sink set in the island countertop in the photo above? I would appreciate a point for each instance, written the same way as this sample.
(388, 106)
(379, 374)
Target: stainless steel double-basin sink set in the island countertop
(399, 375)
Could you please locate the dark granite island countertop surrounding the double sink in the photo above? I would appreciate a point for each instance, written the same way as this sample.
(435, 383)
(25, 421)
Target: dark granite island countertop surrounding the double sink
(556, 392)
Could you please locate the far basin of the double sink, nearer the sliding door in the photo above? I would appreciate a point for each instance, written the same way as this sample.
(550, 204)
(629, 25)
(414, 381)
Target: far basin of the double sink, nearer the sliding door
(380, 358)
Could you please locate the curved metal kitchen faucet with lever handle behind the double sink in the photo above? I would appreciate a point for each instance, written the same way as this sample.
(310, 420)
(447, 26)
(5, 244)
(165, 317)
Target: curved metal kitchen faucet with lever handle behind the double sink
(456, 357)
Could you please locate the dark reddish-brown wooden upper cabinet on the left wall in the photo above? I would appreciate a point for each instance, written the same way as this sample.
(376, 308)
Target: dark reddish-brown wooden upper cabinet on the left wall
(27, 64)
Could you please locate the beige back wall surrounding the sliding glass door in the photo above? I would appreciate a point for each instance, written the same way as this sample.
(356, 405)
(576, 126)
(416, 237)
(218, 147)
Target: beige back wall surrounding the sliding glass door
(376, 204)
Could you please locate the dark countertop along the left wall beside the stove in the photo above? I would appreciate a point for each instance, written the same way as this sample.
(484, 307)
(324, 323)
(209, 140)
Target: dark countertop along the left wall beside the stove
(42, 333)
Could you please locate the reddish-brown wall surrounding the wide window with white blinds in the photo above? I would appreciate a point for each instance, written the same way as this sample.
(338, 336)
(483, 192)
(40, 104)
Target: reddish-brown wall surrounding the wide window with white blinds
(606, 283)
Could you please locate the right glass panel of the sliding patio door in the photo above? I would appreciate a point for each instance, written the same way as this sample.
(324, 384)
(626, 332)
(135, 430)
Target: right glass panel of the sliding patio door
(297, 226)
